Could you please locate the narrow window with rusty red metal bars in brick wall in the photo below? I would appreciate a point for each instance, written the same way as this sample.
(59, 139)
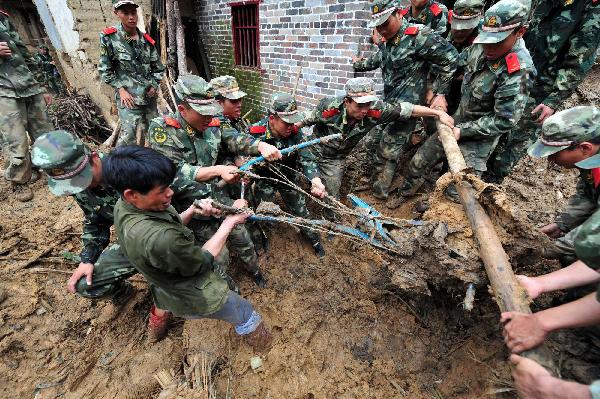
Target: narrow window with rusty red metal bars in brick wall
(244, 23)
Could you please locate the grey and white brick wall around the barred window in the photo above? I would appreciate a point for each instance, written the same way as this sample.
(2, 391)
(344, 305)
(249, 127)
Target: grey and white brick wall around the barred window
(320, 35)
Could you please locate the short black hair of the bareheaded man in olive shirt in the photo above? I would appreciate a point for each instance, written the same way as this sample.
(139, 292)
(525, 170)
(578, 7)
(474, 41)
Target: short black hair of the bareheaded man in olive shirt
(137, 168)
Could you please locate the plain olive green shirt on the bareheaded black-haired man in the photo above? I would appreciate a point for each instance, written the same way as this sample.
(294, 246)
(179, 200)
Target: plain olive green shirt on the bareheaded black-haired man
(181, 273)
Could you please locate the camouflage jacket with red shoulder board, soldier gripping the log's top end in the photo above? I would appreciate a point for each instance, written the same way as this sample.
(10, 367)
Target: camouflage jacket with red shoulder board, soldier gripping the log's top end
(494, 93)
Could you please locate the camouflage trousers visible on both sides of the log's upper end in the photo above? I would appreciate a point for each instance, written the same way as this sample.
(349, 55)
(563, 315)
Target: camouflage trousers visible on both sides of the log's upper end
(475, 152)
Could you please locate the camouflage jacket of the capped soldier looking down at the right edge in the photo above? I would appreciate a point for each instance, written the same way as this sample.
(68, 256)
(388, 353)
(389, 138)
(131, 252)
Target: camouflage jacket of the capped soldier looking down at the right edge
(584, 203)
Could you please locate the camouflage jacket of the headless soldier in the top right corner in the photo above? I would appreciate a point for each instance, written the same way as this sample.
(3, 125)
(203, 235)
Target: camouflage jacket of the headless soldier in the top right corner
(563, 39)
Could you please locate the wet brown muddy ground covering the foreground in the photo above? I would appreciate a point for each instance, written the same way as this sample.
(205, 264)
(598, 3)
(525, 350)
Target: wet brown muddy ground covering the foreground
(360, 323)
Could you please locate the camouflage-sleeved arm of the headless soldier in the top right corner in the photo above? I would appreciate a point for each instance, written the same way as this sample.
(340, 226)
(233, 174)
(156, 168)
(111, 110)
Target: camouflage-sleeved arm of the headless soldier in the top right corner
(579, 59)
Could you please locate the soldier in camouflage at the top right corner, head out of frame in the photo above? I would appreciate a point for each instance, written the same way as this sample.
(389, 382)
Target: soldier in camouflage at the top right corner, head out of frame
(563, 40)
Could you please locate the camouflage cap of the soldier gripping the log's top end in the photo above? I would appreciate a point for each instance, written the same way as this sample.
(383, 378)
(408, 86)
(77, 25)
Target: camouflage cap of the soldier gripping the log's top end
(500, 20)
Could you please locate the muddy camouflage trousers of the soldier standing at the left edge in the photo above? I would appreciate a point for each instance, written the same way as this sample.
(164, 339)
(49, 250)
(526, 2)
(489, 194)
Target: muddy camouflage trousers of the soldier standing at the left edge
(18, 117)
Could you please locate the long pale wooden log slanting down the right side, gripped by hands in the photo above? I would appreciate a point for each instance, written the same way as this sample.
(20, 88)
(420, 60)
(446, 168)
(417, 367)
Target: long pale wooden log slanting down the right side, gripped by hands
(509, 294)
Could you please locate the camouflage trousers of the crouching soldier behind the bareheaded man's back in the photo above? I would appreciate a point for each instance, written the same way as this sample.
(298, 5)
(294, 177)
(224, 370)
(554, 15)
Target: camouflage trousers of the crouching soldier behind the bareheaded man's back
(110, 272)
